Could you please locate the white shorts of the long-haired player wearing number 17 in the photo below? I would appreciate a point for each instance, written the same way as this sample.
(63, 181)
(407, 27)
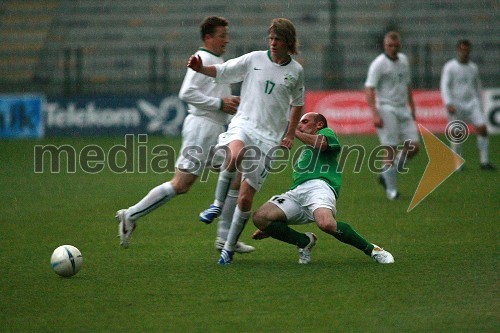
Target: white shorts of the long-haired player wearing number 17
(256, 163)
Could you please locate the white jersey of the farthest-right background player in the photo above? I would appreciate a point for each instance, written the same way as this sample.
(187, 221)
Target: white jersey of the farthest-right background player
(460, 85)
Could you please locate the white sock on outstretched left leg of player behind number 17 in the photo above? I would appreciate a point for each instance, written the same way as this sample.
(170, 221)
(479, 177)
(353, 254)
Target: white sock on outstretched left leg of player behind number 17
(154, 199)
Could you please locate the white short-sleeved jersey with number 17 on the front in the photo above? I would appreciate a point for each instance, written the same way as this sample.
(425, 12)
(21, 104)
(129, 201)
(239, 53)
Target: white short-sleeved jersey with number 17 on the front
(267, 92)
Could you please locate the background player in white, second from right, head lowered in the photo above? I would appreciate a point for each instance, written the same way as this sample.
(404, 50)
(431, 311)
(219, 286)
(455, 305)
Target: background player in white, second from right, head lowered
(389, 93)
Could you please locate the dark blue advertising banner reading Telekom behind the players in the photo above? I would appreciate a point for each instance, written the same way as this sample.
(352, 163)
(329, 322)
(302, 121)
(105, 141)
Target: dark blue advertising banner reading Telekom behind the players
(113, 115)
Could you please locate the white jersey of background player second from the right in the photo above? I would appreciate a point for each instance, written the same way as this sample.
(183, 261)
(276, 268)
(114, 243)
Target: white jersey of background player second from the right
(390, 78)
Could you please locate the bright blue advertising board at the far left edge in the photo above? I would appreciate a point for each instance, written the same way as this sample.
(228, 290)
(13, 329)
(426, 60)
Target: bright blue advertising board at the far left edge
(21, 116)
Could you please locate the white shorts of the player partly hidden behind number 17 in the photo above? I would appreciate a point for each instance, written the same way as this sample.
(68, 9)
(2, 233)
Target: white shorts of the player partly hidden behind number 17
(199, 137)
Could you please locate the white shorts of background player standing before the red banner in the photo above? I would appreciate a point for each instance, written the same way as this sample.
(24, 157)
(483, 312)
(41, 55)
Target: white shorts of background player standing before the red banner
(399, 125)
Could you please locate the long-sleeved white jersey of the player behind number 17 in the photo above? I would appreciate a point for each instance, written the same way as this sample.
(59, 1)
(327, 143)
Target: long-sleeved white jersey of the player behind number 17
(202, 94)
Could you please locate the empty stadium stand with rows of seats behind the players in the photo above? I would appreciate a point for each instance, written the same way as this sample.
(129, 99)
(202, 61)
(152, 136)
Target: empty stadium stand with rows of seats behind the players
(129, 47)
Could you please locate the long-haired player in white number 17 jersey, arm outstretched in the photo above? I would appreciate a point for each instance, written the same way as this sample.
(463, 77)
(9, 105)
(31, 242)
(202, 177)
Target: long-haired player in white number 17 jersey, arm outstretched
(272, 96)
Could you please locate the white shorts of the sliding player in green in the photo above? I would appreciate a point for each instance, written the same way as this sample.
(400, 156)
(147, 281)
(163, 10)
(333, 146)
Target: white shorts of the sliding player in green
(300, 203)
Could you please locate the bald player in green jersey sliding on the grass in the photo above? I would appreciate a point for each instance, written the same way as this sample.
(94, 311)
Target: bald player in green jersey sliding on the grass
(312, 196)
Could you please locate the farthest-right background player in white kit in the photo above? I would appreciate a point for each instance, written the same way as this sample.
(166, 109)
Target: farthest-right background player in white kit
(461, 92)
